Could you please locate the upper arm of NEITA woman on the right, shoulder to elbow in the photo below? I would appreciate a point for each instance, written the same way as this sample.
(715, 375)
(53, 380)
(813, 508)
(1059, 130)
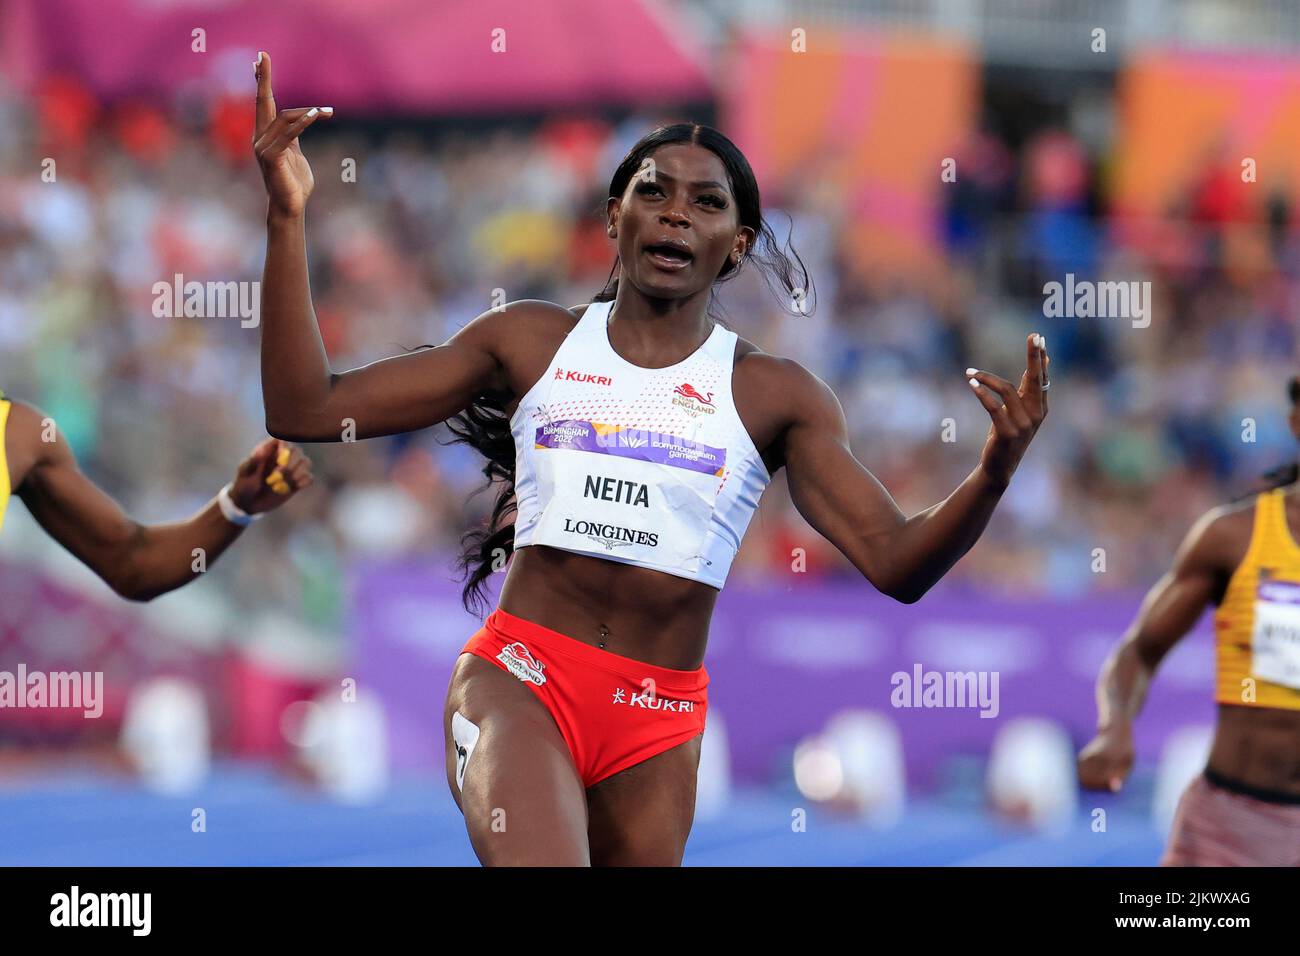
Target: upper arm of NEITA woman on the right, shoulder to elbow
(831, 490)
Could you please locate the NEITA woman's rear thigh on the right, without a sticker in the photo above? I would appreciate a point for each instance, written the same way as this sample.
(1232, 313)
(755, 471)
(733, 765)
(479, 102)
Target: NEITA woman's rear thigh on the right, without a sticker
(643, 816)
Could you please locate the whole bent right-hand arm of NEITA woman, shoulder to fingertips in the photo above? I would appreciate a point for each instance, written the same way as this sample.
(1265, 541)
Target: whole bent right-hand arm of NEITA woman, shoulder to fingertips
(904, 557)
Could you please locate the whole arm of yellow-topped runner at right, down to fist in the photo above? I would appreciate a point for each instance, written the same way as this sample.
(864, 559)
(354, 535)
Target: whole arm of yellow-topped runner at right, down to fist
(1171, 609)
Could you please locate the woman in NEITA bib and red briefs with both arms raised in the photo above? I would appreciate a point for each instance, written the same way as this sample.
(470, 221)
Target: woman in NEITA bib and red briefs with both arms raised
(635, 438)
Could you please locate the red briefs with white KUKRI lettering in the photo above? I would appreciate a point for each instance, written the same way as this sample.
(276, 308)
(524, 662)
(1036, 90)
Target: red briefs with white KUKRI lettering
(613, 712)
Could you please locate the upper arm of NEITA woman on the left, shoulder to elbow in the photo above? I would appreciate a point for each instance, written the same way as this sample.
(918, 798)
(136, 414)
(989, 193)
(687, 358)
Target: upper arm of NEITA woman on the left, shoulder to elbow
(421, 388)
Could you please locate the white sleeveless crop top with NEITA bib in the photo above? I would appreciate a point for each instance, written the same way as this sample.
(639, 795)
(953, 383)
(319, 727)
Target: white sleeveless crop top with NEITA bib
(644, 466)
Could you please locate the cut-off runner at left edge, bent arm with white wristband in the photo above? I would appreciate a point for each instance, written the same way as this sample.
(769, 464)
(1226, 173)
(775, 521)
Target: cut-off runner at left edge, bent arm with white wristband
(138, 561)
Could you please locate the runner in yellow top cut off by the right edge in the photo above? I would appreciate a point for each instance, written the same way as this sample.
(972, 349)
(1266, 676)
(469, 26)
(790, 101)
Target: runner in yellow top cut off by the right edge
(1245, 811)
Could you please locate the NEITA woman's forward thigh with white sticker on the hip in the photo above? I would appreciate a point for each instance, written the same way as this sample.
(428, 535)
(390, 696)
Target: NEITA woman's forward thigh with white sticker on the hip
(521, 793)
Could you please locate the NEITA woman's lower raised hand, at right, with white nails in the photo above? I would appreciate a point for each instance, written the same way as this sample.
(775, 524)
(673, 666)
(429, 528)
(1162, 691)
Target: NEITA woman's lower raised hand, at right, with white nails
(1017, 413)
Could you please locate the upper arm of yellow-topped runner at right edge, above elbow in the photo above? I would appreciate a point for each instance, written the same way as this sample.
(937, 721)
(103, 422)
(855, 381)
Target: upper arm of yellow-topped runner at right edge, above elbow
(1197, 579)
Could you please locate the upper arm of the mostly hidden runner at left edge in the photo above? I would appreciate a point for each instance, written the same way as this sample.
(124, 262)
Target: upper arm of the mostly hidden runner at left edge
(67, 504)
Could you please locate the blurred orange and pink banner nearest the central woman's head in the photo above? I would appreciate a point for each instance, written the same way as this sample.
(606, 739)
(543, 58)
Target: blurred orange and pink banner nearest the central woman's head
(863, 124)
